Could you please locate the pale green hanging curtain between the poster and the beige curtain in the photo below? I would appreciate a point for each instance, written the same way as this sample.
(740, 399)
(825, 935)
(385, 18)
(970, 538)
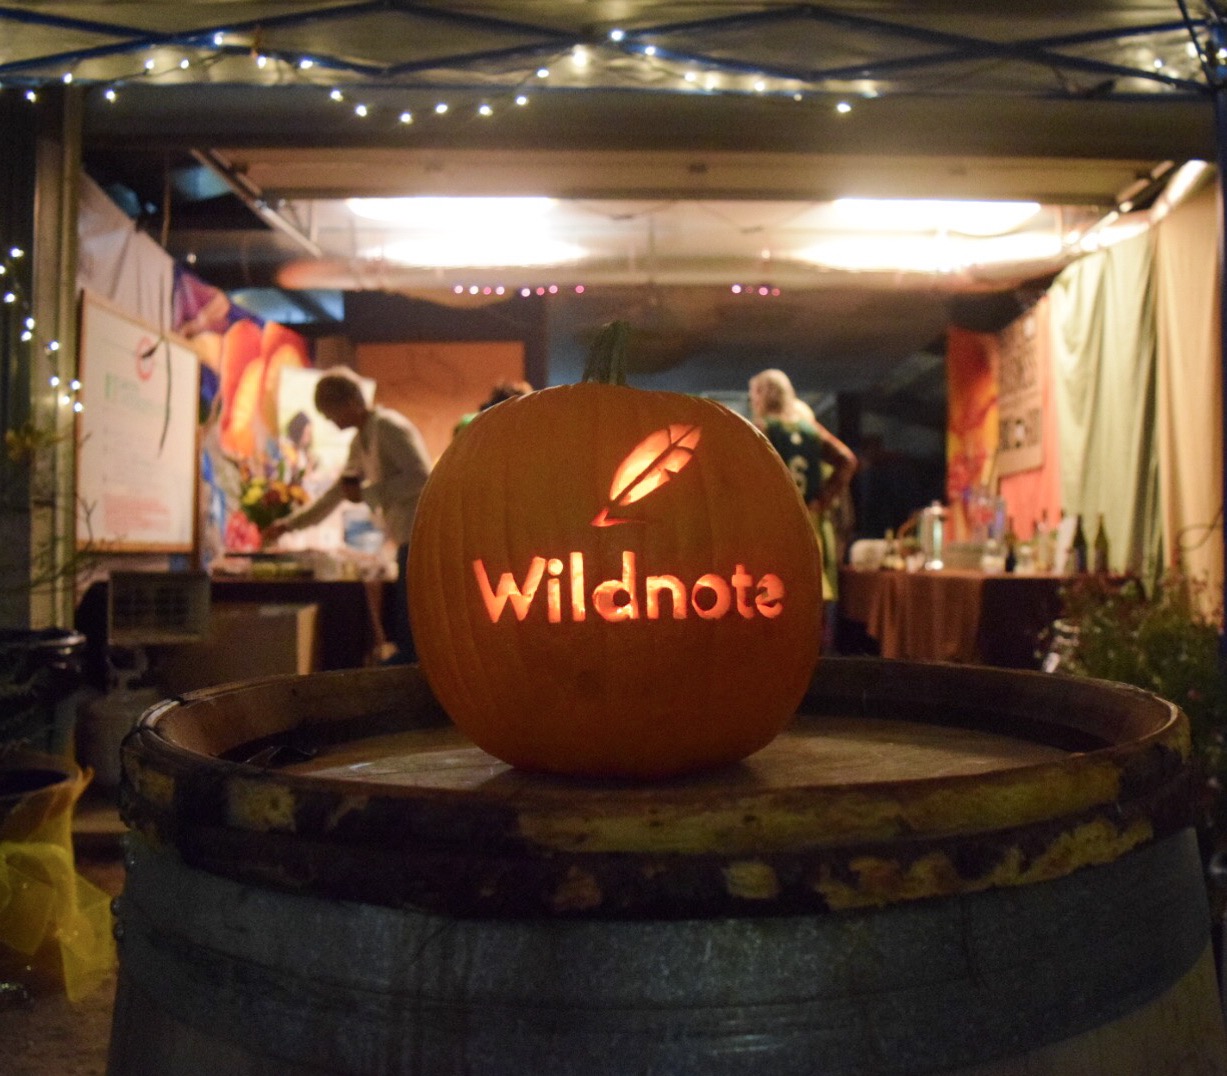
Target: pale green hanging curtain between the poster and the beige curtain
(1105, 386)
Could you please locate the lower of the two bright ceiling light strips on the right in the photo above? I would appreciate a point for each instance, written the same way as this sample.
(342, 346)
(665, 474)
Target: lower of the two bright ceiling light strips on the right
(926, 255)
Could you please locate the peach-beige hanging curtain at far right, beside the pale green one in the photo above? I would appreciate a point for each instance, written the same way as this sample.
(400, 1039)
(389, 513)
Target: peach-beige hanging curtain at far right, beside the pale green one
(1191, 447)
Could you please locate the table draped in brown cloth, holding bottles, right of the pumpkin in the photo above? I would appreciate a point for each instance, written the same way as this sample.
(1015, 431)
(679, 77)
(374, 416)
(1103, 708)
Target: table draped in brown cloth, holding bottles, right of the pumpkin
(952, 615)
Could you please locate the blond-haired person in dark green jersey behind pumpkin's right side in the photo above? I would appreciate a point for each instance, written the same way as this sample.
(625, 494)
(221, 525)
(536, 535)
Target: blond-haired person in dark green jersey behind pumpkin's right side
(820, 463)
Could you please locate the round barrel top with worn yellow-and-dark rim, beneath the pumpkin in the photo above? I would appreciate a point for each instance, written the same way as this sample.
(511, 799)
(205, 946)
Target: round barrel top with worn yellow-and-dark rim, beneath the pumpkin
(896, 782)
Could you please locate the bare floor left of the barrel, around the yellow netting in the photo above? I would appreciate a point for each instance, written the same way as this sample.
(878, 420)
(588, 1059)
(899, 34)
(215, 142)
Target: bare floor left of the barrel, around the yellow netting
(50, 1036)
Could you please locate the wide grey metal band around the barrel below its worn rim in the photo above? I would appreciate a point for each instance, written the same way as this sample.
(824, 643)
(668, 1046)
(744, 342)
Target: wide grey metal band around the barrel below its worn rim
(915, 988)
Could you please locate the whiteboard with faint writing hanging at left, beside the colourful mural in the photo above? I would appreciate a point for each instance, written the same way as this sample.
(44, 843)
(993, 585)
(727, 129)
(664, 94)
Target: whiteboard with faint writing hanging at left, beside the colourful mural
(138, 462)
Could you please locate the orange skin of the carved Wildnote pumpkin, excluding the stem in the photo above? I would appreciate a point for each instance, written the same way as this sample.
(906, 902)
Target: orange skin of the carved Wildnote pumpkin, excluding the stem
(644, 696)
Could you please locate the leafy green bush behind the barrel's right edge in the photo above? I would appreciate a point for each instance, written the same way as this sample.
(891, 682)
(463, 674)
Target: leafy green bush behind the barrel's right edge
(1161, 644)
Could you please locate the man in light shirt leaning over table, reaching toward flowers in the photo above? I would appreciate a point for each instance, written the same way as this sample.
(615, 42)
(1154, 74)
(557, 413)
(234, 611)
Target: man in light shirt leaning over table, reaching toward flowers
(387, 469)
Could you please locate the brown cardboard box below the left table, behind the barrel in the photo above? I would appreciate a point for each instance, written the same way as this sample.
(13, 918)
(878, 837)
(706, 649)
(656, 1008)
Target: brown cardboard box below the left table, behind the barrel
(245, 641)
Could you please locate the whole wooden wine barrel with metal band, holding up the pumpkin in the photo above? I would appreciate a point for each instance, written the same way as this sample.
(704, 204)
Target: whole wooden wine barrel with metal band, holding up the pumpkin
(936, 869)
